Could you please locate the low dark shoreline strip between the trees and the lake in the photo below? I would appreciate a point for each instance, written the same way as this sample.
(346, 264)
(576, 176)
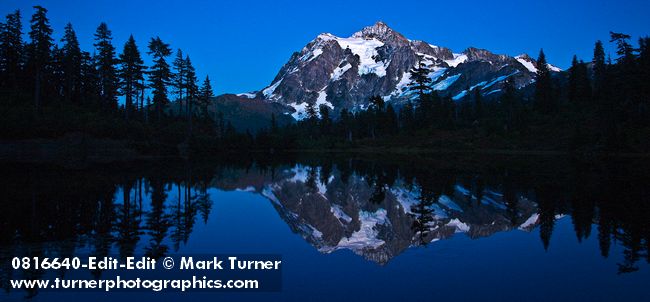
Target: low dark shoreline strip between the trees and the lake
(73, 149)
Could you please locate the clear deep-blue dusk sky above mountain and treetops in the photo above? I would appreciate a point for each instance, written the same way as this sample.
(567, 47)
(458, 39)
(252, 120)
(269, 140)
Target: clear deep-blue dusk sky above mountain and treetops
(243, 44)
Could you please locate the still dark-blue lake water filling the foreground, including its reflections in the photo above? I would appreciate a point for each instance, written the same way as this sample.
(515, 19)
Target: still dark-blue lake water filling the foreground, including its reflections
(348, 227)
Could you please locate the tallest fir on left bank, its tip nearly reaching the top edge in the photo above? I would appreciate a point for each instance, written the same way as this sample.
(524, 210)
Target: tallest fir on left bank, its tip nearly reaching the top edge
(39, 53)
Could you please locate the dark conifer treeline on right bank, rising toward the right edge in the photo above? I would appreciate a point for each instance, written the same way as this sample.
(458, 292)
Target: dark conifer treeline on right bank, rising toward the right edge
(601, 105)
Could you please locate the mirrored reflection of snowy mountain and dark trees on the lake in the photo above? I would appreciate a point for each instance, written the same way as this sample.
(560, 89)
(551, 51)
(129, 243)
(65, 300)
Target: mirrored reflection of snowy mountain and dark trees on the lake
(376, 209)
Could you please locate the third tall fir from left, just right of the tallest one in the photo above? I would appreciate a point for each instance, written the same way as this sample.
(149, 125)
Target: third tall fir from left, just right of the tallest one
(71, 65)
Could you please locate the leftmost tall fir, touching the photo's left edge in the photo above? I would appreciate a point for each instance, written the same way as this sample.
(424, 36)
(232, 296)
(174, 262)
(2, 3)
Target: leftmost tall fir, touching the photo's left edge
(11, 52)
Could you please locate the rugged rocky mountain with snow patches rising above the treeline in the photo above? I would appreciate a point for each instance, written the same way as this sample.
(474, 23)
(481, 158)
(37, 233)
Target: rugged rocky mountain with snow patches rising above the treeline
(344, 72)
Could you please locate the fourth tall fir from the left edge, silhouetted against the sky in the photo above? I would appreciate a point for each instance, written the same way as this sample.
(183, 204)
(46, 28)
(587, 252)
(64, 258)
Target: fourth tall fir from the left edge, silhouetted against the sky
(106, 67)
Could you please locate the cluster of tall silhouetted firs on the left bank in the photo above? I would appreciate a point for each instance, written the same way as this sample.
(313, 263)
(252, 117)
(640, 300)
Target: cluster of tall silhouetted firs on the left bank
(44, 85)
